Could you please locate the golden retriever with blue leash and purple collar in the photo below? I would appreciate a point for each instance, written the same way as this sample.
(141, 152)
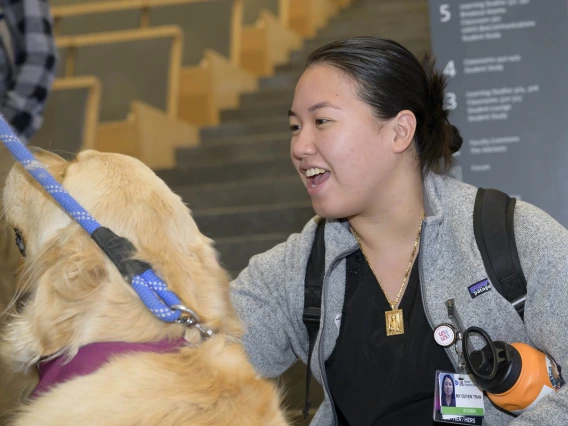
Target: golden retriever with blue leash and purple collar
(75, 296)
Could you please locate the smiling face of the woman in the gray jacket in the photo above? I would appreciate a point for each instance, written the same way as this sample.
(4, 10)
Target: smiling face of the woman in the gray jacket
(341, 151)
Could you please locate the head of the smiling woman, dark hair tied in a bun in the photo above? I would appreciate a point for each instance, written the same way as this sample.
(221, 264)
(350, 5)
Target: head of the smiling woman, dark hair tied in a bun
(344, 115)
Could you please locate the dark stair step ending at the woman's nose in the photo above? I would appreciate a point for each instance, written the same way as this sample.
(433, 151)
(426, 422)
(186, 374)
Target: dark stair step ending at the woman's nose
(230, 150)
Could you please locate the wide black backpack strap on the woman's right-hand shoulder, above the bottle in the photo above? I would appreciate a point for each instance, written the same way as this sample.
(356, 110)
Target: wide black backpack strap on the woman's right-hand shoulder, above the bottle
(493, 226)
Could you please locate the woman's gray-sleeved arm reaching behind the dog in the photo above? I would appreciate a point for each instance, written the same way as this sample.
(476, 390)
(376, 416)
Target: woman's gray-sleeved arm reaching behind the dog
(259, 296)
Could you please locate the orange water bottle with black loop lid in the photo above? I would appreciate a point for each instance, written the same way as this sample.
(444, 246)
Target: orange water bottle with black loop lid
(515, 376)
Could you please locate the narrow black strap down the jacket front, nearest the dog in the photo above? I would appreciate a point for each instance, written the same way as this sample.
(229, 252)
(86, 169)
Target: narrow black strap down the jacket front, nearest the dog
(315, 271)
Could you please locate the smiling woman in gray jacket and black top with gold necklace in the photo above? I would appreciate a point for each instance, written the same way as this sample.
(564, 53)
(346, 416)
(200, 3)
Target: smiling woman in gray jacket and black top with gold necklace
(372, 143)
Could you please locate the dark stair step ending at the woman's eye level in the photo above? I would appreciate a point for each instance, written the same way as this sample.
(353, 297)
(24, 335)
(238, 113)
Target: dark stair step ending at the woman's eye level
(239, 128)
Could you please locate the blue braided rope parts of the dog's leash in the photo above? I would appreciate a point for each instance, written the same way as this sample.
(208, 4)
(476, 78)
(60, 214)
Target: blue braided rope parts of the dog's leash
(150, 288)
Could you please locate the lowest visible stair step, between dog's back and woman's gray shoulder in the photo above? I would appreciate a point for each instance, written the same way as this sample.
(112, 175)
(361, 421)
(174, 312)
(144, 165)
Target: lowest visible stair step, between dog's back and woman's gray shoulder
(235, 252)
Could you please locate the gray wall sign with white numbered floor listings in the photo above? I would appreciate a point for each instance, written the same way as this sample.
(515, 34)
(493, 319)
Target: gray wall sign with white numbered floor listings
(510, 94)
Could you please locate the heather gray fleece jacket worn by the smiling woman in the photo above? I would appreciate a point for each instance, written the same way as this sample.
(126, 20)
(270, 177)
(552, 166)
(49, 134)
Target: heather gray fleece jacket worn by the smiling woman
(269, 293)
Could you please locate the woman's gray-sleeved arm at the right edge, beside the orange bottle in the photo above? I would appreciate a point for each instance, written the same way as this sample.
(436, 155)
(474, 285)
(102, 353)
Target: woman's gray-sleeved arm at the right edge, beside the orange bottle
(546, 310)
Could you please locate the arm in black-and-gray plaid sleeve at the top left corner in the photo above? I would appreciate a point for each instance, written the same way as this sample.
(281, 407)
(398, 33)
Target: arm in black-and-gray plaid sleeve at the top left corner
(35, 56)
